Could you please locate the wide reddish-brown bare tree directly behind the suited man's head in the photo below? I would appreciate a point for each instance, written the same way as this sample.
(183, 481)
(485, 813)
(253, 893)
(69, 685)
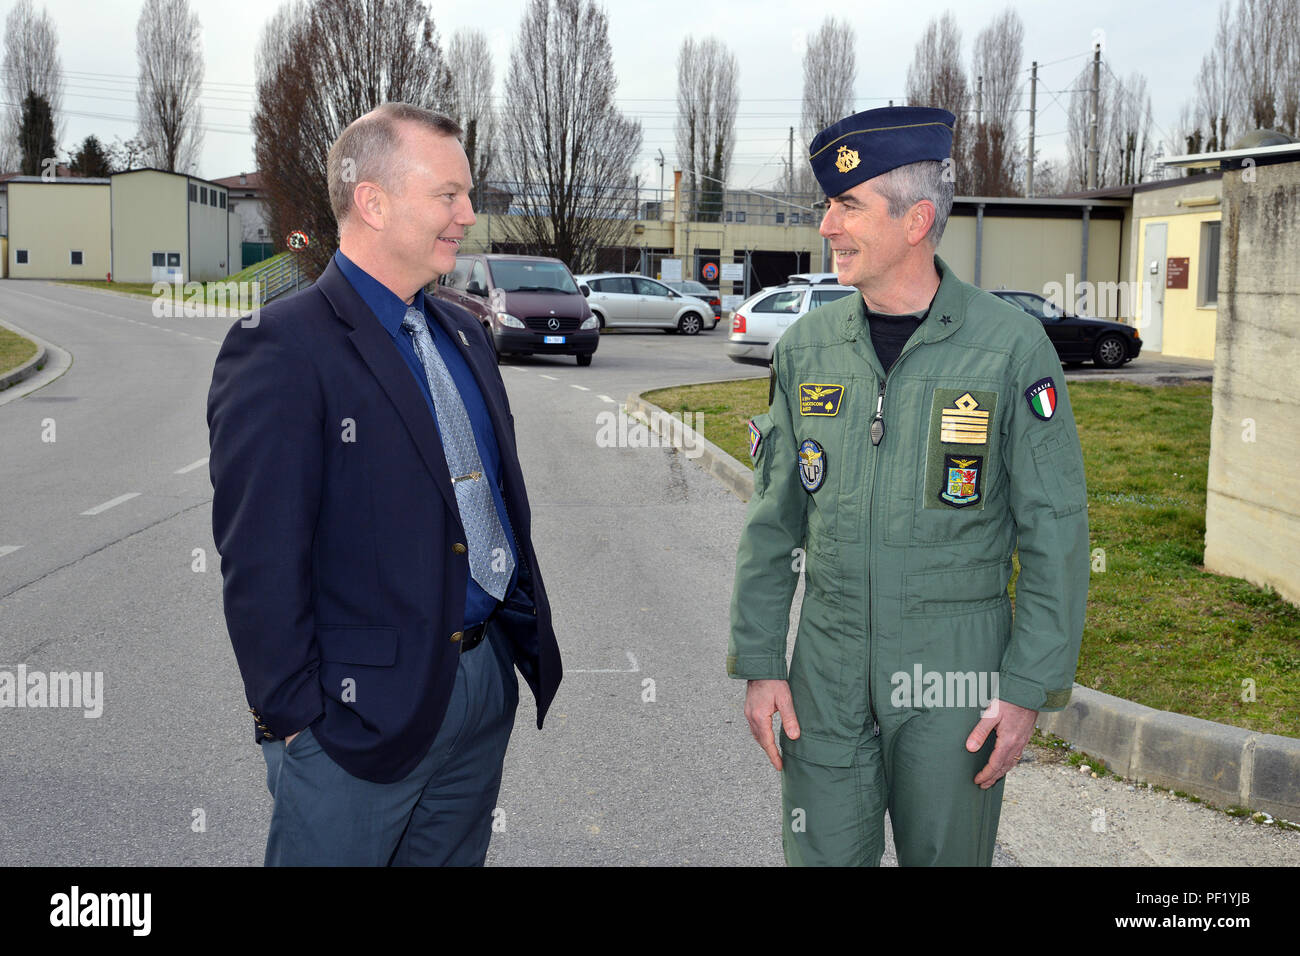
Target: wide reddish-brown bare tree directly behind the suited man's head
(378, 51)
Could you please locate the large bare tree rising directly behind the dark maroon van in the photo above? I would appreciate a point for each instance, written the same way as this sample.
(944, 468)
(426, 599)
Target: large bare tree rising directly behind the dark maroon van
(571, 150)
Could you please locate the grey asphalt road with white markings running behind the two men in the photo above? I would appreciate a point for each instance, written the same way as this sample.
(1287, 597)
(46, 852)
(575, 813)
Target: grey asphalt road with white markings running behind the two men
(636, 546)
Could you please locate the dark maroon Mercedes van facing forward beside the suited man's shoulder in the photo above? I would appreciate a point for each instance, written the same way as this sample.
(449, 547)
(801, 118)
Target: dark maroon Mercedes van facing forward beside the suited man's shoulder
(530, 305)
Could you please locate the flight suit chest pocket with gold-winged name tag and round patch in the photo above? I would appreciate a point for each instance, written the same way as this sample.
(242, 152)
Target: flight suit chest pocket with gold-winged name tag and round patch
(827, 455)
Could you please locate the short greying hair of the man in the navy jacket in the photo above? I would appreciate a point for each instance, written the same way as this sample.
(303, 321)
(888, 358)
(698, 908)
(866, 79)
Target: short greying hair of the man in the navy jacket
(370, 152)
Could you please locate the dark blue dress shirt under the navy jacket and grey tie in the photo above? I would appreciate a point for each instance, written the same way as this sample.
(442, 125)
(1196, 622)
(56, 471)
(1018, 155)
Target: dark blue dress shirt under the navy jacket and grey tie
(391, 312)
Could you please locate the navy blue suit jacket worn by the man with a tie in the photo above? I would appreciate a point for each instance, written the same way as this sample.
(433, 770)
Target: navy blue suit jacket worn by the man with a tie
(340, 537)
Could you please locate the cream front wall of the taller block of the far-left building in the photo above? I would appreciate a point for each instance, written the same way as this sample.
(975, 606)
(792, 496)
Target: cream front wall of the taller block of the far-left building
(149, 217)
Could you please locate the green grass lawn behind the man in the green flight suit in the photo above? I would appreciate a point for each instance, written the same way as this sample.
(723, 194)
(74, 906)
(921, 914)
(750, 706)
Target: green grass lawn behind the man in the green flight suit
(1160, 630)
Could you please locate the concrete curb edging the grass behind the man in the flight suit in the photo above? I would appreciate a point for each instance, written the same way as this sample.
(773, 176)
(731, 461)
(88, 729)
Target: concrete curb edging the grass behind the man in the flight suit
(1224, 765)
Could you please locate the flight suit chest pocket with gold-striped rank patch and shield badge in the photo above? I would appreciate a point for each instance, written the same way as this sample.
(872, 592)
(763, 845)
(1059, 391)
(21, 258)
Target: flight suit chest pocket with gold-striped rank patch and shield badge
(957, 465)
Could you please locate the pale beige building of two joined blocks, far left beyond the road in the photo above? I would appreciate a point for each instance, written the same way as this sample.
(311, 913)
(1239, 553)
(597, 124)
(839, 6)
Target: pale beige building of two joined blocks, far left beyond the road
(142, 226)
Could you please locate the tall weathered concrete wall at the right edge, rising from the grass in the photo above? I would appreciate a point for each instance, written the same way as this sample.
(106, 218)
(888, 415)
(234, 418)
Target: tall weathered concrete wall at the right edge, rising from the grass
(1253, 514)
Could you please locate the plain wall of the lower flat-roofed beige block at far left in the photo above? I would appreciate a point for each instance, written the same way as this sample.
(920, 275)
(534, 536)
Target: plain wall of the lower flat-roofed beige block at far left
(50, 220)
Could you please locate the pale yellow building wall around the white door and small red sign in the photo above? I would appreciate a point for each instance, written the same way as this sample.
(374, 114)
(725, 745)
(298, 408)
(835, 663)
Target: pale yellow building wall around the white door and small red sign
(1189, 327)
